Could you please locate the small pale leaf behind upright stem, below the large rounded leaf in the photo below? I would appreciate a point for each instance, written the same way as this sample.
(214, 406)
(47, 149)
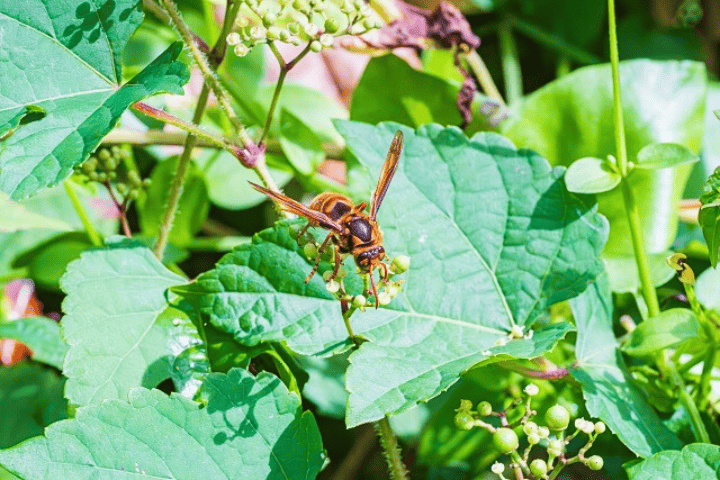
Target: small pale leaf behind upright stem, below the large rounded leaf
(623, 274)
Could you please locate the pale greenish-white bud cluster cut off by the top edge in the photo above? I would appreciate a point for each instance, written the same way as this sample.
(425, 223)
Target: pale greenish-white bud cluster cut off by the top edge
(315, 23)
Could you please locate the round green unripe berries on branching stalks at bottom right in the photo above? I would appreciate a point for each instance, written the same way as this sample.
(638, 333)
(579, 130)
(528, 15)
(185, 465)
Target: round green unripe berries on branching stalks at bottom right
(550, 436)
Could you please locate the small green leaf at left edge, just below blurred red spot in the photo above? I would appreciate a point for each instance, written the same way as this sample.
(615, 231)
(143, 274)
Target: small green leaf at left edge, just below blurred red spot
(41, 335)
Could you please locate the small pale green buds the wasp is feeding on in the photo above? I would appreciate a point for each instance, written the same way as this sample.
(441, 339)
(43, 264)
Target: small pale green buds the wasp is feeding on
(387, 289)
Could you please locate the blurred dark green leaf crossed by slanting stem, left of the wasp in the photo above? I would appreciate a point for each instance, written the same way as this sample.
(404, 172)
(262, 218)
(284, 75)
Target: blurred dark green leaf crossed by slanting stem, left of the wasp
(193, 206)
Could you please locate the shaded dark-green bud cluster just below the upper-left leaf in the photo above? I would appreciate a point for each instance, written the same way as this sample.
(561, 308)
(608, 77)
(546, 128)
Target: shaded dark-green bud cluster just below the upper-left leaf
(103, 166)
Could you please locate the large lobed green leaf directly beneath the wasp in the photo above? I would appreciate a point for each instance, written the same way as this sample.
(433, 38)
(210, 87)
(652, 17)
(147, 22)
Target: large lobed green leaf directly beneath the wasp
(494, 237)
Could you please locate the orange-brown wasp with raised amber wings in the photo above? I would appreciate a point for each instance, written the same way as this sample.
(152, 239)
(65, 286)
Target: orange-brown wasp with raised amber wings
(351, 229)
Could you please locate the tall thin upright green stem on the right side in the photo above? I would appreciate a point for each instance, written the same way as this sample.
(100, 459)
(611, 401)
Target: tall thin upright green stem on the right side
(641, 258)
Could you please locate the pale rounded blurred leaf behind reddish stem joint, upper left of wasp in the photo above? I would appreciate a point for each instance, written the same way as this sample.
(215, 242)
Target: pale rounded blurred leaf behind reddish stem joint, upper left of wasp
(227, 182)
